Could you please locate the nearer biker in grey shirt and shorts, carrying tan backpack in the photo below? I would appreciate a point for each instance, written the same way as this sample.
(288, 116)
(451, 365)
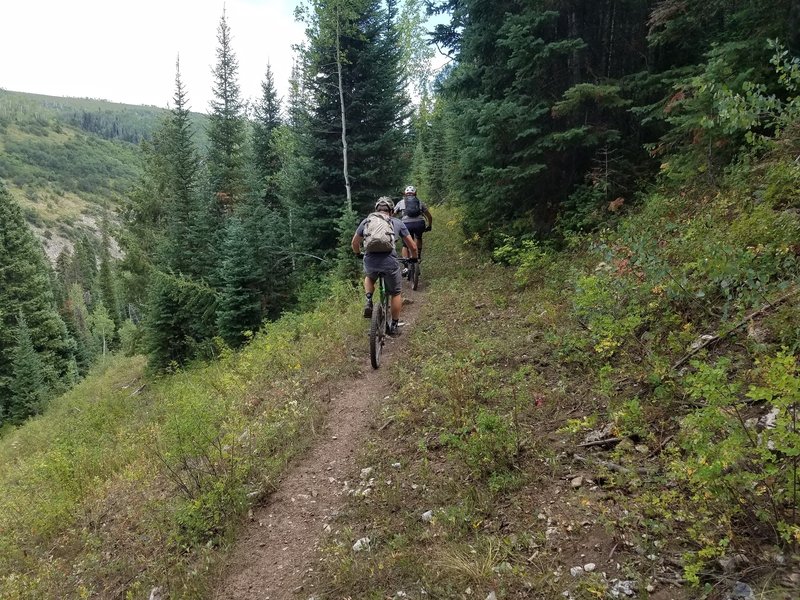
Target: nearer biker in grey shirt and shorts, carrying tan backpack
(384, 263)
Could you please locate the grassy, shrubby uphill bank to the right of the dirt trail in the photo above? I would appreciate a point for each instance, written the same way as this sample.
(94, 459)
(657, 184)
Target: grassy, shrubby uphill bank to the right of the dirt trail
(479, 480)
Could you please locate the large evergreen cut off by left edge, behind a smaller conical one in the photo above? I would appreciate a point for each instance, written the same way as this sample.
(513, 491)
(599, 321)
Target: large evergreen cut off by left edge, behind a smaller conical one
(25, 289)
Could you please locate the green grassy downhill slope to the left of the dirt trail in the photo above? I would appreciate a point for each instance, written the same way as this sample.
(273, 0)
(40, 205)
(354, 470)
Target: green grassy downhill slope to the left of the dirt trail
(130, 482)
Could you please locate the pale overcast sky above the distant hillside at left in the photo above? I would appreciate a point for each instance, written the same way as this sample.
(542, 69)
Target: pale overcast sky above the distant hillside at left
(125, 51)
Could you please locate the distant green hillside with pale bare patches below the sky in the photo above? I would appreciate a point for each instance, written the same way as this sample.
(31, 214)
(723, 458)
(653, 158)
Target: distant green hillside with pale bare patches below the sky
(67, 160)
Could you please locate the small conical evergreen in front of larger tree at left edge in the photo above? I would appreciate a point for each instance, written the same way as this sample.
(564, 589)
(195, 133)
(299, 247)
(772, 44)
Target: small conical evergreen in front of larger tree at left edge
(28, 384)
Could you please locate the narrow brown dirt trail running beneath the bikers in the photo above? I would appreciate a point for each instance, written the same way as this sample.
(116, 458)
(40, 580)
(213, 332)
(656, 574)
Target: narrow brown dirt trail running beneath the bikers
(276, 551)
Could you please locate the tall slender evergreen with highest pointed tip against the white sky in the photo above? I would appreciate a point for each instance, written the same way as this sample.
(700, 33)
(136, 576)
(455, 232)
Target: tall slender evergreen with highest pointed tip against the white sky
(227, 124)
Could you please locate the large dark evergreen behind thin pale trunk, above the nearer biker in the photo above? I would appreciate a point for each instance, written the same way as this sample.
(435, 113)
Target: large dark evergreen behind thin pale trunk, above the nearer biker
(363, 36)
